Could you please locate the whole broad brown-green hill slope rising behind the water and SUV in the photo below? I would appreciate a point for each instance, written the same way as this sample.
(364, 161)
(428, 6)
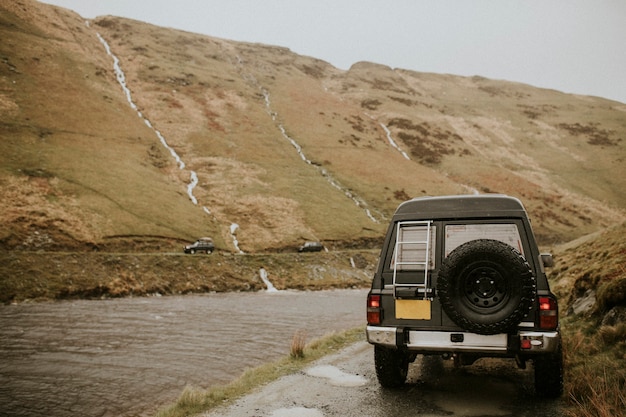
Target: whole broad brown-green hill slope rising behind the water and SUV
(286, 147)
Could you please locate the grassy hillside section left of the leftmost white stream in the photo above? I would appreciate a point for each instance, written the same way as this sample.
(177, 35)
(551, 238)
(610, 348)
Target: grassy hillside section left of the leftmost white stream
(77, 165)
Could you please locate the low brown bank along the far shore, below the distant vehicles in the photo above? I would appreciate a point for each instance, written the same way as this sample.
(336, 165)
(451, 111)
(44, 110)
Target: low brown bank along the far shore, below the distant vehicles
(62, 275)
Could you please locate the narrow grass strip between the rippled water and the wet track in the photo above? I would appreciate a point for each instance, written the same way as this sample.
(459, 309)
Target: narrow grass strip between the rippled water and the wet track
(195, 400)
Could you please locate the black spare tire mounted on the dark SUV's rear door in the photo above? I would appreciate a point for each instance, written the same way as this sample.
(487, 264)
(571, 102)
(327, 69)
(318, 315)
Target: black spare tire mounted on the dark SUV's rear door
(486, 286)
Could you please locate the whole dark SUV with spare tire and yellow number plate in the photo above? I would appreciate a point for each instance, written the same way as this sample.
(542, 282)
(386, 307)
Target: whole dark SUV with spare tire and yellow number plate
(462, 277)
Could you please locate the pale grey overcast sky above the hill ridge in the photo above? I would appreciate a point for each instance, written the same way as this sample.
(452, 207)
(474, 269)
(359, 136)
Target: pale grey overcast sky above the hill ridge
(575, 46)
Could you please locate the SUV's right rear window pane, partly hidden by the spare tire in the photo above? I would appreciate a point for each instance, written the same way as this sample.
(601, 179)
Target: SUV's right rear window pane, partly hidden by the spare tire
(458, 234)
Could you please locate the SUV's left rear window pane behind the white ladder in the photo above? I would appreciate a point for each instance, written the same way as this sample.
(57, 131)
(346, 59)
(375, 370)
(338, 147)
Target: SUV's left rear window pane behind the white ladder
(410, 247)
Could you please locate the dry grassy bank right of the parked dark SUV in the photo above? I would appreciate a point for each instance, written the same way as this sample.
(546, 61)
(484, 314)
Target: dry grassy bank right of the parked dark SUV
(595, 354)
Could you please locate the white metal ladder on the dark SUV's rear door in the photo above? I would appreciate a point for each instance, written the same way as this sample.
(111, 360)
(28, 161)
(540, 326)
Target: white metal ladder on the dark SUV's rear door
(401, 254)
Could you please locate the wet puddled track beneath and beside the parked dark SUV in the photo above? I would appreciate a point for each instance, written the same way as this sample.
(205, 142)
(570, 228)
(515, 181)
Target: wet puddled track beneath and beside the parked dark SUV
(349, 389)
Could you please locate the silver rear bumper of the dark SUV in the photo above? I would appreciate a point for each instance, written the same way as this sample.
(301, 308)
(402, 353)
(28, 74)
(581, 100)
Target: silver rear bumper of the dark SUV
(525, 341)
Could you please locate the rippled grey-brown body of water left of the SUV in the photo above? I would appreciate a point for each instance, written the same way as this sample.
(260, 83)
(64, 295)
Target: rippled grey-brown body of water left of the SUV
(128, 357)
